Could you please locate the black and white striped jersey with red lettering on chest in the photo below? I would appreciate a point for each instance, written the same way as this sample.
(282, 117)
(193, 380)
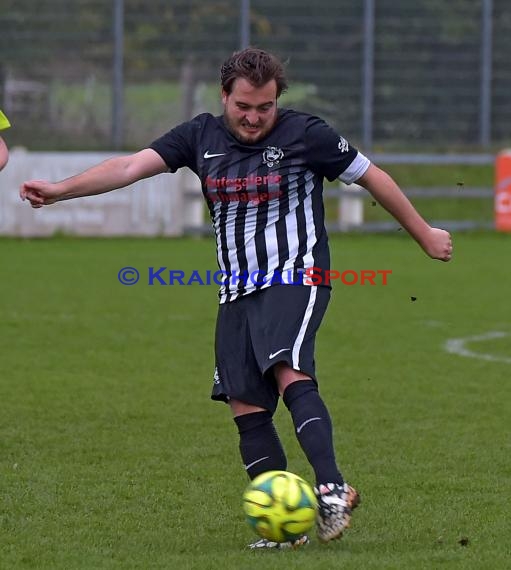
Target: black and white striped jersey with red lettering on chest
(266, 198)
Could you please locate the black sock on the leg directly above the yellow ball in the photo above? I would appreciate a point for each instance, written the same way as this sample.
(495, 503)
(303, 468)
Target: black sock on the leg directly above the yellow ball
(260, 445)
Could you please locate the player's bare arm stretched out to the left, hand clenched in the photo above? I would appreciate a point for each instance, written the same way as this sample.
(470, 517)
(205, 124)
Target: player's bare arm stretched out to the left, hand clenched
(111, 174)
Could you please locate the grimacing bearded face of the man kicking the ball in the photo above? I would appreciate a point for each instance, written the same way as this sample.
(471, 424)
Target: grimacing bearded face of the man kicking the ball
(250, 112)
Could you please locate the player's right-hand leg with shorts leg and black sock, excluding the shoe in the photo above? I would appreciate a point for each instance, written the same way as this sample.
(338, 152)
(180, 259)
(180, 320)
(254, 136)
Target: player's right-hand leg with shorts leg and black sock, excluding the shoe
(283, 327)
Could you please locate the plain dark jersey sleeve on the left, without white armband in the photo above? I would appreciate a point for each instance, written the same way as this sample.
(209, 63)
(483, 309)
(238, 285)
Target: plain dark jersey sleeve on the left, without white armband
(177, 146)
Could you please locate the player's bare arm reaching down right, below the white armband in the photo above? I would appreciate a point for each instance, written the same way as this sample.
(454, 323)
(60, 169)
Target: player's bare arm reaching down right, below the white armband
(435, 242)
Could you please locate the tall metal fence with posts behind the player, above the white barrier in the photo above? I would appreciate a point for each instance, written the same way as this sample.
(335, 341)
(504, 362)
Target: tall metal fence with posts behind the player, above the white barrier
(391, 75)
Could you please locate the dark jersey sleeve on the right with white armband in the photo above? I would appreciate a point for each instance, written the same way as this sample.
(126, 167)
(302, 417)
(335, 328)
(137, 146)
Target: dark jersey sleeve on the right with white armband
(331, 155)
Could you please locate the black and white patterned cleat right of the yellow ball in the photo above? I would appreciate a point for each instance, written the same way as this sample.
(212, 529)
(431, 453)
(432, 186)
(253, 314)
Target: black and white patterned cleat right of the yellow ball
(335, 506)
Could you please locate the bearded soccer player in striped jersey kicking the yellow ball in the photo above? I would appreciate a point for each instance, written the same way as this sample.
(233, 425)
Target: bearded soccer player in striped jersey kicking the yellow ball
(262, 169)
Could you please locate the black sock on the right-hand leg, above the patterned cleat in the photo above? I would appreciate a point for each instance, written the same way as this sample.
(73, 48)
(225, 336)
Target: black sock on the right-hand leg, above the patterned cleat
(313, 428)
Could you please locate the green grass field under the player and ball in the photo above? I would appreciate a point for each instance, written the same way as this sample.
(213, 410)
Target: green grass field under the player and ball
(113, 456)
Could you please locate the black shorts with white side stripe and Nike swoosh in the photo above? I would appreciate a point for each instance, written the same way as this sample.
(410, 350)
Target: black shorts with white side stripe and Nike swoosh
(253, 333)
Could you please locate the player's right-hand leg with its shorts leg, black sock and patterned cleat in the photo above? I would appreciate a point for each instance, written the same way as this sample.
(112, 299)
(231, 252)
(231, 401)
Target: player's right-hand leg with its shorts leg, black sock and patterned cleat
(297, 313)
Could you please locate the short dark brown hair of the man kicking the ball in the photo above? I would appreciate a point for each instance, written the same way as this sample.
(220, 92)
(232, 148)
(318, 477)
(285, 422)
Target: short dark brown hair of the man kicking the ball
(256, 66)
